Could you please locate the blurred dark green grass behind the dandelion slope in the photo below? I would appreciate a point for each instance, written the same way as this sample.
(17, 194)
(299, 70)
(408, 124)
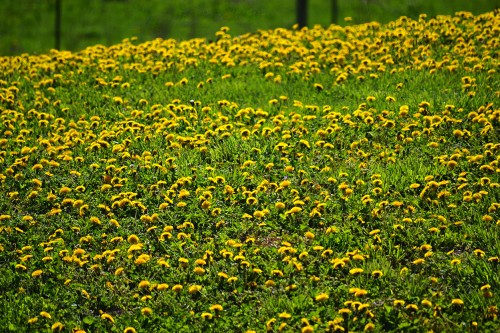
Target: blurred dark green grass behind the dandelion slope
(29, 26)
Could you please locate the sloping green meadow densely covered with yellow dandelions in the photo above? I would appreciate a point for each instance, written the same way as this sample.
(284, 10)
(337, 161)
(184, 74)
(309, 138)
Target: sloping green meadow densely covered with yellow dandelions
(342, 179)
